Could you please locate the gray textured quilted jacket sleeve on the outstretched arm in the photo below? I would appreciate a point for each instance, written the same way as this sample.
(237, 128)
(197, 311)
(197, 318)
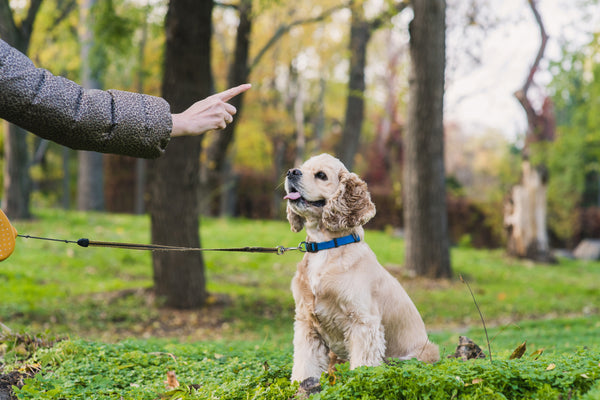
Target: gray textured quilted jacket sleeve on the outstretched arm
(60, 110)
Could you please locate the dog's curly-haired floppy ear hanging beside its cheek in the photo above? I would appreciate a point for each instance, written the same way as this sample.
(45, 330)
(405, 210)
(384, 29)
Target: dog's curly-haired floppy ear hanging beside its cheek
(350, 206)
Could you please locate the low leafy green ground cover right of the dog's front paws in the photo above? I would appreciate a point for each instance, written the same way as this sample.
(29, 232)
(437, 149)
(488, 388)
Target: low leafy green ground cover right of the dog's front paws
(572, 375)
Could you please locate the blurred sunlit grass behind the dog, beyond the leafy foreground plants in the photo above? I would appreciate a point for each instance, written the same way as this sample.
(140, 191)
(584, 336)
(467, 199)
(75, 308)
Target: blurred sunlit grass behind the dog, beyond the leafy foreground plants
(102, 293)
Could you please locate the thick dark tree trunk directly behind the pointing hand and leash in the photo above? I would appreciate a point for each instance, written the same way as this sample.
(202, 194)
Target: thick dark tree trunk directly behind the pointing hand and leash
(175, 177)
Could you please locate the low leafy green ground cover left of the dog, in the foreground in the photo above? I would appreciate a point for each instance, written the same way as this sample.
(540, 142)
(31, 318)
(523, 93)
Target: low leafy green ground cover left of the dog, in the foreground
(138, 369)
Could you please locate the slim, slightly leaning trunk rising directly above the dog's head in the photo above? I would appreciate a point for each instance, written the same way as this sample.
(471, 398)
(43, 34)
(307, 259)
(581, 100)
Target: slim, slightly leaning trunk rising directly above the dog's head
(360, 33)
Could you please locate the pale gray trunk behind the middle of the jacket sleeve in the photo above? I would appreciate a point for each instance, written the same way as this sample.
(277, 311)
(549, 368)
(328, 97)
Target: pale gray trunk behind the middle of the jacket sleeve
(90, 175)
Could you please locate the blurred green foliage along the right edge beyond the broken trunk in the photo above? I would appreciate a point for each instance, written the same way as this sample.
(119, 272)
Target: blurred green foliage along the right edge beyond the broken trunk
(574, 155)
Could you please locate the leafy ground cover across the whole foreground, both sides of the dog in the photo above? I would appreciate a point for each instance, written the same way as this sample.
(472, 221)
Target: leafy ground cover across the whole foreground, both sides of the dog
(136, 369)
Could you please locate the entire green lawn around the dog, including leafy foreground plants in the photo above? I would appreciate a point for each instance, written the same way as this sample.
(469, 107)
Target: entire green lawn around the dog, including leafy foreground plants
(100, 299)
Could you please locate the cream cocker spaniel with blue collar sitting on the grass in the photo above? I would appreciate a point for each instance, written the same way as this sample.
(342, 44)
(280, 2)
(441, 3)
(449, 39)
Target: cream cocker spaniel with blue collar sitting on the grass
(347, 305)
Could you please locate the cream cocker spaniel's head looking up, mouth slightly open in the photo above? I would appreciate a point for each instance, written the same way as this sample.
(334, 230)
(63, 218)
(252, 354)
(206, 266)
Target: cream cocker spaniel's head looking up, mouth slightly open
(322, 190)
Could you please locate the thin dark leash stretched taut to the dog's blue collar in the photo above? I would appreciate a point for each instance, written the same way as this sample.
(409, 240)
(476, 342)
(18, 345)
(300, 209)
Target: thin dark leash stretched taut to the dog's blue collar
(83, 242)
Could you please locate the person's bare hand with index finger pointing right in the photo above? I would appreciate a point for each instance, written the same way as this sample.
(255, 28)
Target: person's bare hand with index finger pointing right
(211, 113)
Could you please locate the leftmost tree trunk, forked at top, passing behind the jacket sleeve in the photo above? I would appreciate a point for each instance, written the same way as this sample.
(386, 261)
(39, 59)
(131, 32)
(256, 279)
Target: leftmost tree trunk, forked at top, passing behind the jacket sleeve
(17, 182)
